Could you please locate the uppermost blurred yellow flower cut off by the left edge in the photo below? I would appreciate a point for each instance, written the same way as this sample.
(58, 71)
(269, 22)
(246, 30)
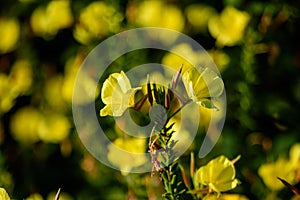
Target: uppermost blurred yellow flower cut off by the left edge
(9, 34)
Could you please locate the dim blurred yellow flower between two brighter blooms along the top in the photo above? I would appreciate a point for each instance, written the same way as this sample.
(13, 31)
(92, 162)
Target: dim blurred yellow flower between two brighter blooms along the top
(198, 16)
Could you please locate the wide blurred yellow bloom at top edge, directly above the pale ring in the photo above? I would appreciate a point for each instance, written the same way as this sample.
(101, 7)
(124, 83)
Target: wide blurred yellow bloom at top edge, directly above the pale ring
(156, 13)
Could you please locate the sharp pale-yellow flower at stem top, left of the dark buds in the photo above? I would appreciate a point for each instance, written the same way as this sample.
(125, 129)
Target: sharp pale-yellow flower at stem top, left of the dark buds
(117, 94)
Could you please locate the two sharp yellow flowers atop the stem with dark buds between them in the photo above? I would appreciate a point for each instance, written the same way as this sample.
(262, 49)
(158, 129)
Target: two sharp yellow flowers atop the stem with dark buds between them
(201, 85)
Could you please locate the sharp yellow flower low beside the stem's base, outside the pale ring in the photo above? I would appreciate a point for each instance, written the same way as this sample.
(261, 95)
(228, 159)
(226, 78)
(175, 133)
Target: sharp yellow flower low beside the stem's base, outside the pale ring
(218, 175)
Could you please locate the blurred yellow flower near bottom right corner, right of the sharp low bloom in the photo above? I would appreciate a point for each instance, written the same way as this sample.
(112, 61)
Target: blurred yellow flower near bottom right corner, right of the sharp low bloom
(269, 172)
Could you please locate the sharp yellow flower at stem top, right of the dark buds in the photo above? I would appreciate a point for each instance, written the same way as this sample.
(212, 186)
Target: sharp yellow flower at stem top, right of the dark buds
(202, 84)
